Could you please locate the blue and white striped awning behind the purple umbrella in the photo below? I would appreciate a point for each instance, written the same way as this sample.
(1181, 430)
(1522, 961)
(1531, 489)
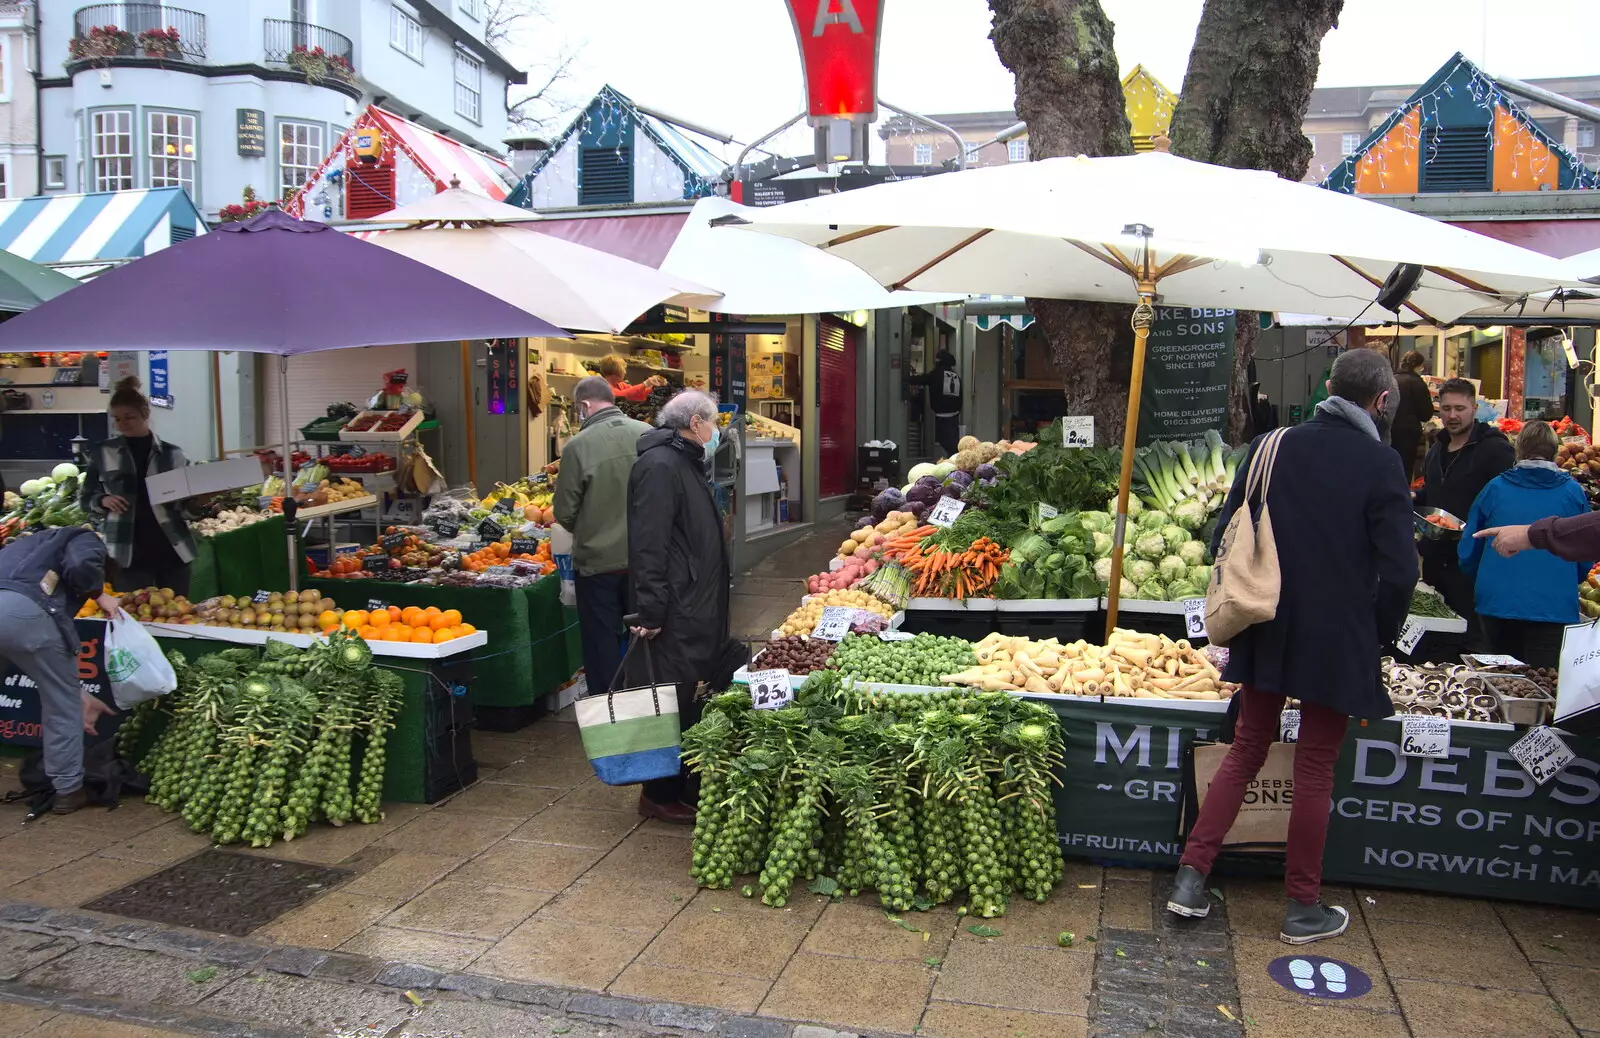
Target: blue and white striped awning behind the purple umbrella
(103, 226)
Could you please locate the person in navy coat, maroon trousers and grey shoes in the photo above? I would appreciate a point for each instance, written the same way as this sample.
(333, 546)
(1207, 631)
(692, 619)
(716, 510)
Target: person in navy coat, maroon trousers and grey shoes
(1343, 527)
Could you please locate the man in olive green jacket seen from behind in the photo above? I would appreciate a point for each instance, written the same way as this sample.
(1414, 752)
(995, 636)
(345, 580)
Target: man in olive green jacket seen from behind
(591, 503)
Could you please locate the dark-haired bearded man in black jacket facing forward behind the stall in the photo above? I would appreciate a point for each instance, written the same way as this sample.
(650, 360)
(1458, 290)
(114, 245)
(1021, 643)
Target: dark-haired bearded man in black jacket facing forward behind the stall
(1465, 457)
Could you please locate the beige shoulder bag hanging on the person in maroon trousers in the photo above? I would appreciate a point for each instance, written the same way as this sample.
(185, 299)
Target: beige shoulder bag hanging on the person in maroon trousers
(1246, 580)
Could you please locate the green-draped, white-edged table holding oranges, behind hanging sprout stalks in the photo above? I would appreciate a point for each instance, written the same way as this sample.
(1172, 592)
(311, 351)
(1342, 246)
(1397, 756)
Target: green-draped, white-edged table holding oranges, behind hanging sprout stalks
(430, 753)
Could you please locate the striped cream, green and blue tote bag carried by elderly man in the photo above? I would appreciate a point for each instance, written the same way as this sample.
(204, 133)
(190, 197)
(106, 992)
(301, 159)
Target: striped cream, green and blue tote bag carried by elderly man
(631, 737)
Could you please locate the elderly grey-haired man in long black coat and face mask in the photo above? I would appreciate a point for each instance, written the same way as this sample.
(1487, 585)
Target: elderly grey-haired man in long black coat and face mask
(679, 564)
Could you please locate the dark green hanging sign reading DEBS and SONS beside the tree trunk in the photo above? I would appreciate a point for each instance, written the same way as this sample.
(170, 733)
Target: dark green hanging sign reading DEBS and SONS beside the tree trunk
(1190, 362)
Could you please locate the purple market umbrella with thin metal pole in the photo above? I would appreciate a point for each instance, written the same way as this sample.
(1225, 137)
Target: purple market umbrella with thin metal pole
(268, 285)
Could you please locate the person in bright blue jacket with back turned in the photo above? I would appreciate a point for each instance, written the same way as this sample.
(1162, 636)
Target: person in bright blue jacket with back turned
(1526, 602)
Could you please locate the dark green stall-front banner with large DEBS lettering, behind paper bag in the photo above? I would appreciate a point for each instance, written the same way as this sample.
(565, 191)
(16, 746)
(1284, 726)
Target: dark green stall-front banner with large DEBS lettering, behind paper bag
(1474, 823)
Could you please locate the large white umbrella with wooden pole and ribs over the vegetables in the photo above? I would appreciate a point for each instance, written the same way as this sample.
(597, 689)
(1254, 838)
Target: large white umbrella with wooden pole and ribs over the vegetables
(1118, 230)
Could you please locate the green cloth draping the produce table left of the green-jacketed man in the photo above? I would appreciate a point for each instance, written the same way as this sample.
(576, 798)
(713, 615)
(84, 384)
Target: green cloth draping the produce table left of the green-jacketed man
(532, 645)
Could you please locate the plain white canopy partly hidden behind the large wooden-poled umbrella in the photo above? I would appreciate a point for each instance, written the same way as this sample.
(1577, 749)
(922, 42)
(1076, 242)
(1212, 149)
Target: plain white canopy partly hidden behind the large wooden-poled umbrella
(766, 274)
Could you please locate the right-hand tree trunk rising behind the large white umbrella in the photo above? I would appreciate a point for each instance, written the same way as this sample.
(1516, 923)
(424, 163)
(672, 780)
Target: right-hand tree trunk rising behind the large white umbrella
(1250, 76)
